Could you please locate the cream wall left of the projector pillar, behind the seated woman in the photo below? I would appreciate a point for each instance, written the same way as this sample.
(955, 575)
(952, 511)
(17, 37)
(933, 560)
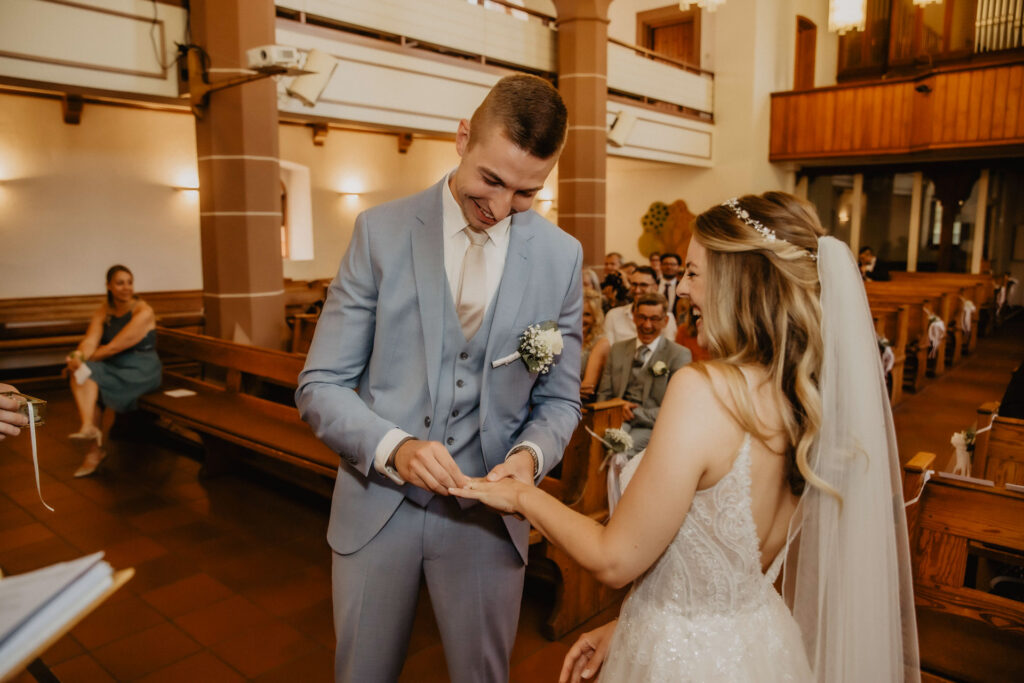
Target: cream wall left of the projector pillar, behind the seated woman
(75, 200)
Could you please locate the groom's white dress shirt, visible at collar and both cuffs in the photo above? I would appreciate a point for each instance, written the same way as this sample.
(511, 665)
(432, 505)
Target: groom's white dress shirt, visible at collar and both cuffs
(456, 242)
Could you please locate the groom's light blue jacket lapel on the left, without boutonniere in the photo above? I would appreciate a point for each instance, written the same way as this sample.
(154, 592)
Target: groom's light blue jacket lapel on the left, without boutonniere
(429, 269)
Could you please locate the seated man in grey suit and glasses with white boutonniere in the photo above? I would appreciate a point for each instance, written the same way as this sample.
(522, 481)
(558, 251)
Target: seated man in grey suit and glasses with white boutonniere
(638, 370)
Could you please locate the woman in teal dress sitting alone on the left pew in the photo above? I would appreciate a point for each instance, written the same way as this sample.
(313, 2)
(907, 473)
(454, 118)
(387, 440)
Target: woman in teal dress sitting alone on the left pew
(115, 364)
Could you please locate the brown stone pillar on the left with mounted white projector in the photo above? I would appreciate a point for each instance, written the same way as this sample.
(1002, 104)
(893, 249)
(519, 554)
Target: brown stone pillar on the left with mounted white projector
(240, 180)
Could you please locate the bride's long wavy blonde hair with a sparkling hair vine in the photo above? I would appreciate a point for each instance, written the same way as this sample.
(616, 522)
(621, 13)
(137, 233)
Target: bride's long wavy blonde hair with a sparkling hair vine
(764, 310)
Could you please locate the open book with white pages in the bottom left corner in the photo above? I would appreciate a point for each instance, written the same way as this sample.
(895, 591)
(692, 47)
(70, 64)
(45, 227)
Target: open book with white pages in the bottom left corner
(36, 609)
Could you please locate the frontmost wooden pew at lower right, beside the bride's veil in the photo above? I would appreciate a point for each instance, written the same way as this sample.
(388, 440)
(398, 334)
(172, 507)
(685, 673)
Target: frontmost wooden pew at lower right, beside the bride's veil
(961, 534)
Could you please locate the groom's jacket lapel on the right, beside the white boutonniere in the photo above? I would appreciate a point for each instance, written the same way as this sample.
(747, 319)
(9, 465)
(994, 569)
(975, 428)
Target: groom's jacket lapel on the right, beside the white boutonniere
(509, 297)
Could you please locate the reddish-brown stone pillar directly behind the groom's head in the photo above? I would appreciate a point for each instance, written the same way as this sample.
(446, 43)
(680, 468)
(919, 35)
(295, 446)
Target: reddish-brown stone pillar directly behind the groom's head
(583, 68)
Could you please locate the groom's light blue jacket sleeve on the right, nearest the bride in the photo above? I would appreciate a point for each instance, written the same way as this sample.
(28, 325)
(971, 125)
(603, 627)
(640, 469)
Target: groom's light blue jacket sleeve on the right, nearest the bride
(556, 399)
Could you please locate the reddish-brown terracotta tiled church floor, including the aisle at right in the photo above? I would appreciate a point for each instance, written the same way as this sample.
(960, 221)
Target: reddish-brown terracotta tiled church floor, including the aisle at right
(233, 573)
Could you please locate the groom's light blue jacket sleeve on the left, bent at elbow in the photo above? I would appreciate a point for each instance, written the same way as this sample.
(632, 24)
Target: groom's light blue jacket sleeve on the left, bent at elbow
(342, 350)
